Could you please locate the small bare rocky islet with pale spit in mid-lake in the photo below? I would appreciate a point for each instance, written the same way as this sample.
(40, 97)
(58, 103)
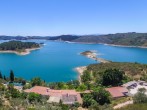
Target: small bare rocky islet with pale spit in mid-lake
(93, 55)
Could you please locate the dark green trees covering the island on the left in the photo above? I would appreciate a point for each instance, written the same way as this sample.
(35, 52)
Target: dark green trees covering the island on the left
(18, 46)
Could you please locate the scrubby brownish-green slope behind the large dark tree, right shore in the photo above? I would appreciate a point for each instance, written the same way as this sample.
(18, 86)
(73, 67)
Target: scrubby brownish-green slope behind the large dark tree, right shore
(132, 70)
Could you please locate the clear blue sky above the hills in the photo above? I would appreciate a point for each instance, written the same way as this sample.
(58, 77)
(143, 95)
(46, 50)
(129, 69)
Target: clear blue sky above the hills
(78, 17)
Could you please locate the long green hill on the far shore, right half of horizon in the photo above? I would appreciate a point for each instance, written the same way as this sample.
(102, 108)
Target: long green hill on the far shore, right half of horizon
(126, 39)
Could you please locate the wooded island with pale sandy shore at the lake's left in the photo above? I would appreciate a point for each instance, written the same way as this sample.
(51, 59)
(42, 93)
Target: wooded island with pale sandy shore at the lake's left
(18, 47)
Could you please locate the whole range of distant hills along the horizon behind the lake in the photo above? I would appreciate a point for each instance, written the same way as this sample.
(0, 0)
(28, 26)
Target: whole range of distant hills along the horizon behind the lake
(125, 39)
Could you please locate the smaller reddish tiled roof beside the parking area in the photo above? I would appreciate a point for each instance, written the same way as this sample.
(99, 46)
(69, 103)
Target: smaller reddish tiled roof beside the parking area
(117, 91)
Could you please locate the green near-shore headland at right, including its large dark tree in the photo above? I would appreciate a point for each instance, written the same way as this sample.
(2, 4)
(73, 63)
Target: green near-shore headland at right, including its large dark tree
(112, 74)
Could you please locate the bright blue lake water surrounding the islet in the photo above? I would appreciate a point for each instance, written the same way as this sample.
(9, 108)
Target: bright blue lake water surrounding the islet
(56, 60)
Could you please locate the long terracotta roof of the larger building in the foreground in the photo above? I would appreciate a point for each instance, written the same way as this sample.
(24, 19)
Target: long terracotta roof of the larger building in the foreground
(67, 96)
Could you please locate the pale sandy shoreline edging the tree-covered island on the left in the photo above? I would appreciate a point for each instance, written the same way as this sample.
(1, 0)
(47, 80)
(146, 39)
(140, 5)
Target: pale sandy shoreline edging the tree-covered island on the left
(27, 51)
